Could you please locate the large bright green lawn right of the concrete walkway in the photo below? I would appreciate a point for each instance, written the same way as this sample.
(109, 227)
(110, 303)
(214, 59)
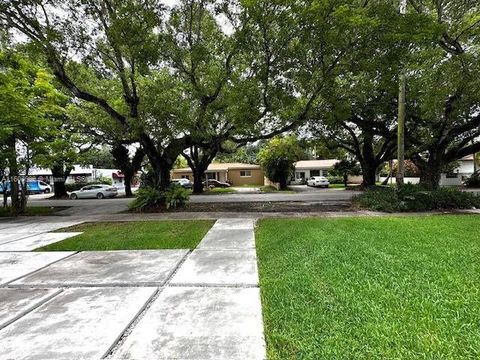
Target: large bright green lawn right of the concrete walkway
(371, 288)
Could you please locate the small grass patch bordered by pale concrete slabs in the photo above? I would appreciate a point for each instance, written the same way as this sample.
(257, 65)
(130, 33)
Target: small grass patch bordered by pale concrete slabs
(134, 235)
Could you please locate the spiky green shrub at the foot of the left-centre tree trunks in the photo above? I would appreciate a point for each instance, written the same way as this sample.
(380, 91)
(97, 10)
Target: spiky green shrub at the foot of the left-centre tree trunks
(149, 198)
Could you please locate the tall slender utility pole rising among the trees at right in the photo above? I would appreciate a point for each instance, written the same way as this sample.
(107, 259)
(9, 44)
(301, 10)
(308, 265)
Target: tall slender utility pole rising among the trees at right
(401, 116)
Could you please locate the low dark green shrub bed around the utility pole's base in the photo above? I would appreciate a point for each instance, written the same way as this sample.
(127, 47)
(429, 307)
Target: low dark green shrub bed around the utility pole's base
(415, 198)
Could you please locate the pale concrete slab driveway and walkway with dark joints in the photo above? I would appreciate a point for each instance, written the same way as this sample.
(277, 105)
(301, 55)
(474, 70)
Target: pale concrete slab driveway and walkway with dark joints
(151, 304)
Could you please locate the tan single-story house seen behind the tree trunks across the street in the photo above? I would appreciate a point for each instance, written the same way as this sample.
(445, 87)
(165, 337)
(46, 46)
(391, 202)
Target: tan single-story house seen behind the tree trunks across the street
(237, 174)
